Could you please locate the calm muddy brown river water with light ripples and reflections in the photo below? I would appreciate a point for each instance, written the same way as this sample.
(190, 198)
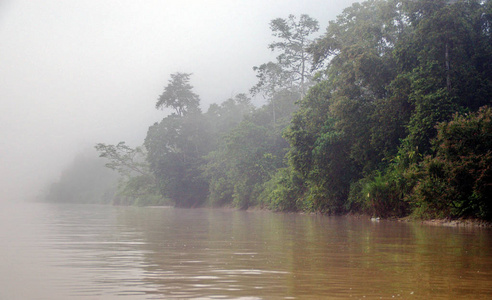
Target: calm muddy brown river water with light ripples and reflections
(99, 252)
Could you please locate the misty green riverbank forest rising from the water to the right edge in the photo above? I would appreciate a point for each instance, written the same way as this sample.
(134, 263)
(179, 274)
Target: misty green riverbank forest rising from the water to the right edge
(387, 113)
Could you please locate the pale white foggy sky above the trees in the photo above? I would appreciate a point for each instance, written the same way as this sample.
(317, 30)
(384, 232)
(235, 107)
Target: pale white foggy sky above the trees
(77, 72)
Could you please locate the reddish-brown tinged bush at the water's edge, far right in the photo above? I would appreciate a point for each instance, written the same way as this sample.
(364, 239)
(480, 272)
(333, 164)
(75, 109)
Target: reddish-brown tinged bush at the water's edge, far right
(457, 181)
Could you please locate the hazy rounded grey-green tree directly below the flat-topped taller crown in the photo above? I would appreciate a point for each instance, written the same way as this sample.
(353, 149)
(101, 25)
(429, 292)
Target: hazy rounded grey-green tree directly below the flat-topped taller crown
(176, 148)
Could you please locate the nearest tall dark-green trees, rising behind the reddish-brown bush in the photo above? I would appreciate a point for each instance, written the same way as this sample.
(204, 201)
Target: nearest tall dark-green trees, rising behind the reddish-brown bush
(394, 69)
